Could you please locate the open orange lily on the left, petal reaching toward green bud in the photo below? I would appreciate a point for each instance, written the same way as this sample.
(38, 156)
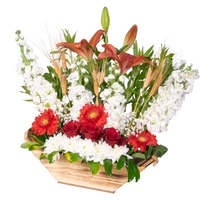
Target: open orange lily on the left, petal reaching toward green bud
(82, 48)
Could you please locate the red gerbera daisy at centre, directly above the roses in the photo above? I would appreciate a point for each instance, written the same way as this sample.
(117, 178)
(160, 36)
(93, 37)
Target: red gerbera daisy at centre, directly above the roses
(93, 113)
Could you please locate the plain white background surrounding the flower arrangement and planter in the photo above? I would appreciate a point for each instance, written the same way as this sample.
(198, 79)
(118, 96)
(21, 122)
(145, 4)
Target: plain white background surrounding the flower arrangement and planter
(174, 22)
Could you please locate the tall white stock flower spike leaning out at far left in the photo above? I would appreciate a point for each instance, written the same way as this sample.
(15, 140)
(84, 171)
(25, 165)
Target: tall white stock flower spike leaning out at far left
(41, 91)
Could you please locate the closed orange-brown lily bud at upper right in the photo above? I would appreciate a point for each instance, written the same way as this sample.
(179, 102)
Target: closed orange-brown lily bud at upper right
(130, 37)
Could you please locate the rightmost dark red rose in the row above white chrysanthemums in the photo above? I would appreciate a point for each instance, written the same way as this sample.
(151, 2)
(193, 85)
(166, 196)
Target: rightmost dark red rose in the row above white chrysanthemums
(111, 136)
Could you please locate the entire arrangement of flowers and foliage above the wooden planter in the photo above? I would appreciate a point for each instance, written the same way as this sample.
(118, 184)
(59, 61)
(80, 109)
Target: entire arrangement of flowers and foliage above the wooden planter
(103, 107)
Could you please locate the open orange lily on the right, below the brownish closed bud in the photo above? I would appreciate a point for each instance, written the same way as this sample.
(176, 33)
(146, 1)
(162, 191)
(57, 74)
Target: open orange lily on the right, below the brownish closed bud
(125, 60)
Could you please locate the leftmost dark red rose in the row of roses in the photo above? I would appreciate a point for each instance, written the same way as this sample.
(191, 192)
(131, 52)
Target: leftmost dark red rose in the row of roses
(71, 129)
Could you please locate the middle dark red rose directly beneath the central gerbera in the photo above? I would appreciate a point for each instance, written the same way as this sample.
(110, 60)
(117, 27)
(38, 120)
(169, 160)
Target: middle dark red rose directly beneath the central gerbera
(90, 131)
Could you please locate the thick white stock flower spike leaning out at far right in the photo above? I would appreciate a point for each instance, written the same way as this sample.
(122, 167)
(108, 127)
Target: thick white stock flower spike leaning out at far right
(169, 99)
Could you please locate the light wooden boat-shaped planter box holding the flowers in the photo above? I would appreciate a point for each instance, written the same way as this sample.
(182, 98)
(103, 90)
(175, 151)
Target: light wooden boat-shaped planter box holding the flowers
(79, 174)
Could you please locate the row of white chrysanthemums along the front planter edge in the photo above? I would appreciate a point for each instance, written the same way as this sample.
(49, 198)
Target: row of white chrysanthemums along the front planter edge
(88, 150)
